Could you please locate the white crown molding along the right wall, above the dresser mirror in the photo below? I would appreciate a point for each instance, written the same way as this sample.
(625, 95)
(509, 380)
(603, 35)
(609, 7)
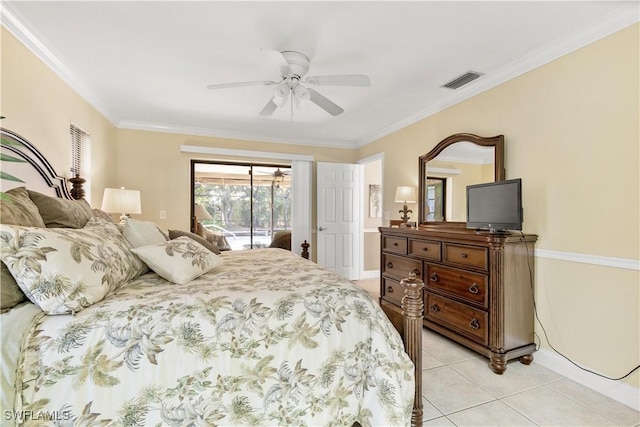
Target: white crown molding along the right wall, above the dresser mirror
(626, 15)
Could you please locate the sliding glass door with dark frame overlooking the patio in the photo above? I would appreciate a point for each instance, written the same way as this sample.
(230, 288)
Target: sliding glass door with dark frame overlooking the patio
(248, 204)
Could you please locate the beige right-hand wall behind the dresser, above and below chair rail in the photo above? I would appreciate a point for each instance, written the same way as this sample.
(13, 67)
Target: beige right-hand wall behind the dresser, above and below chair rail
(572, 134)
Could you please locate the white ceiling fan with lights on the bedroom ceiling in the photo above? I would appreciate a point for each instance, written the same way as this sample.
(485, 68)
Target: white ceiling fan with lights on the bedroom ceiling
(293, 66)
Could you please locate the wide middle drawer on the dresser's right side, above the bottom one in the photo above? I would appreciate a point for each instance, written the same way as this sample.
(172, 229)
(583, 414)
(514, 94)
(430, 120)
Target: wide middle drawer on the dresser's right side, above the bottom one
(471, 287)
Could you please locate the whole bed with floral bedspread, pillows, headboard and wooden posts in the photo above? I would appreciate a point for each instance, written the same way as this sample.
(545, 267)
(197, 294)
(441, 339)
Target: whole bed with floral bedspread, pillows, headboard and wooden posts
(117, 331)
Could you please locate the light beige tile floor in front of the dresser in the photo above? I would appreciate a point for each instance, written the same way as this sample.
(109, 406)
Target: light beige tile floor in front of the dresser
(459, 389)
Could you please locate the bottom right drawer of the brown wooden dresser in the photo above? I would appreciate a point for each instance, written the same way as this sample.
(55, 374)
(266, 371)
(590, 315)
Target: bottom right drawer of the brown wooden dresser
(461, 318)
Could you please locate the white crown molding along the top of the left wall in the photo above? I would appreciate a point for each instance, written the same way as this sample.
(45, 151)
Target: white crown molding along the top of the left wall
(9, 19)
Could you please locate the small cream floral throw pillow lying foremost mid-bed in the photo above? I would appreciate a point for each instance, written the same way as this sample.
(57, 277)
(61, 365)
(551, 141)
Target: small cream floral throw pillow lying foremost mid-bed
(179, 260)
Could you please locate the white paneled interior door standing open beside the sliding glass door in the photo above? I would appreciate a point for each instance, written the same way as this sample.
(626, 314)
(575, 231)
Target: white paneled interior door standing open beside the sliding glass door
(338, 217)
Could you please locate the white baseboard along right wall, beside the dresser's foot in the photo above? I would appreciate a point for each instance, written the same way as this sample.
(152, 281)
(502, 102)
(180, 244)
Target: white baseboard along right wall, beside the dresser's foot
(617, 390)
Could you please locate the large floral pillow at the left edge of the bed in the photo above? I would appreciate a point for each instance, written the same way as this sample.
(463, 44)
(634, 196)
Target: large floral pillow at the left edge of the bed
(65, 270)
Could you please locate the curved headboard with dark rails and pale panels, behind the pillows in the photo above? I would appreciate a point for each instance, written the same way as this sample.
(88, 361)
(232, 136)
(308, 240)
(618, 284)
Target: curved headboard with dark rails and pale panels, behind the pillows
(22, 161)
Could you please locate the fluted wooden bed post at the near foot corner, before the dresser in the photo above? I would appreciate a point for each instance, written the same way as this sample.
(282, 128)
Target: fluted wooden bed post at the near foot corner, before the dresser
(412, 311)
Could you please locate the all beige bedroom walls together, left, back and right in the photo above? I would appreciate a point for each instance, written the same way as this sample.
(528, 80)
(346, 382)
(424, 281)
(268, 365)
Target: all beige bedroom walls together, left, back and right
(572, 134)
